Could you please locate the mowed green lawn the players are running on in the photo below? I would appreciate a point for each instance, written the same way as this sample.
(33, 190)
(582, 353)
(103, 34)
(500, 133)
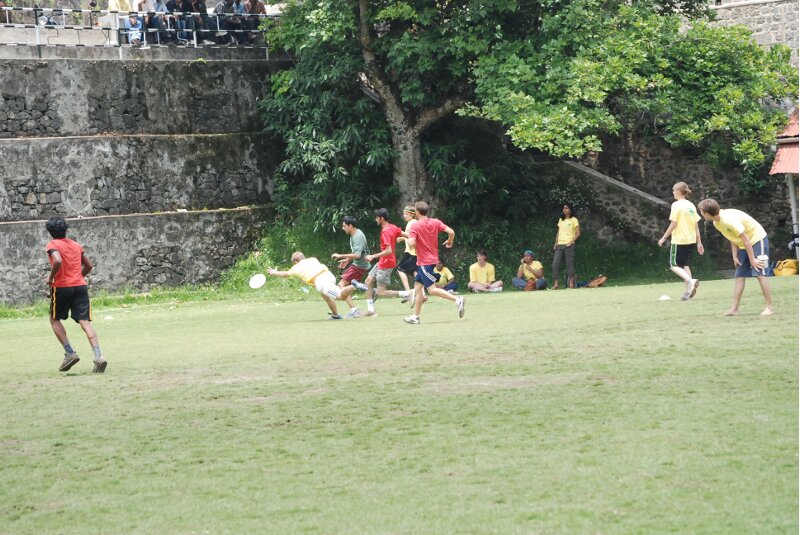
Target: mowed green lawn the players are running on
(571, 411)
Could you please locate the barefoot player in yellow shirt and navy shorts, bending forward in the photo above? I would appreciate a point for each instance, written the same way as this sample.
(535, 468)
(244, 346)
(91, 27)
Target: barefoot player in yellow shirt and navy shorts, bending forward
(749, 249)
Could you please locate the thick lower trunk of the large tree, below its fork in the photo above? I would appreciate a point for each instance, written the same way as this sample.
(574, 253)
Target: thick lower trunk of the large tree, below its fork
(409, 168)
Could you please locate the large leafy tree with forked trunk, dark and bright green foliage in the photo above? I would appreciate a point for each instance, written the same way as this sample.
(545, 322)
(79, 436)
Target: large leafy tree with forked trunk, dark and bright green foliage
(372, 77)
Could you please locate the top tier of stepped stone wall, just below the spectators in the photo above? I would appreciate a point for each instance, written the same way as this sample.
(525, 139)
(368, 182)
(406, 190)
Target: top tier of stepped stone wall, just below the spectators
(75, 97)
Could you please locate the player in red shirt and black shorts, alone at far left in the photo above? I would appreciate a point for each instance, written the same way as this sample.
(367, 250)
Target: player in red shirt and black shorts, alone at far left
(68, 293)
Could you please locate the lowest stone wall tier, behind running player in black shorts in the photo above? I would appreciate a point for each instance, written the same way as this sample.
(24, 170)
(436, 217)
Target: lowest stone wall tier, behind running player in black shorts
(136, 251)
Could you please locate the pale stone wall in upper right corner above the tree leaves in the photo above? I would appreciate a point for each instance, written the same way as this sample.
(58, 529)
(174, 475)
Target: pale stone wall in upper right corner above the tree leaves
(771, 21)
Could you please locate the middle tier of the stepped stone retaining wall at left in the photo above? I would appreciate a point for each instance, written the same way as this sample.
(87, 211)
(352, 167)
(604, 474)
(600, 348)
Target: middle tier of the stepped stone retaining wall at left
(99, 175)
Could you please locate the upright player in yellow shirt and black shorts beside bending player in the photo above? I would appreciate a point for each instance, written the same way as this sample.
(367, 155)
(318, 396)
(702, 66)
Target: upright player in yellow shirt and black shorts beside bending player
(685, 232)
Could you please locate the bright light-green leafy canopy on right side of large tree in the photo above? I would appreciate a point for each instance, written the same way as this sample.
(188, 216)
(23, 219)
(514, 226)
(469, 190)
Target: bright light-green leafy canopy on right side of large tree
(599, 69)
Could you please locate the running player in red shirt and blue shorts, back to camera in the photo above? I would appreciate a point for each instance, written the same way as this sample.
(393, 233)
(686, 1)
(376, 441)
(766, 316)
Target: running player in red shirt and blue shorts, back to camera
(424, 236)
